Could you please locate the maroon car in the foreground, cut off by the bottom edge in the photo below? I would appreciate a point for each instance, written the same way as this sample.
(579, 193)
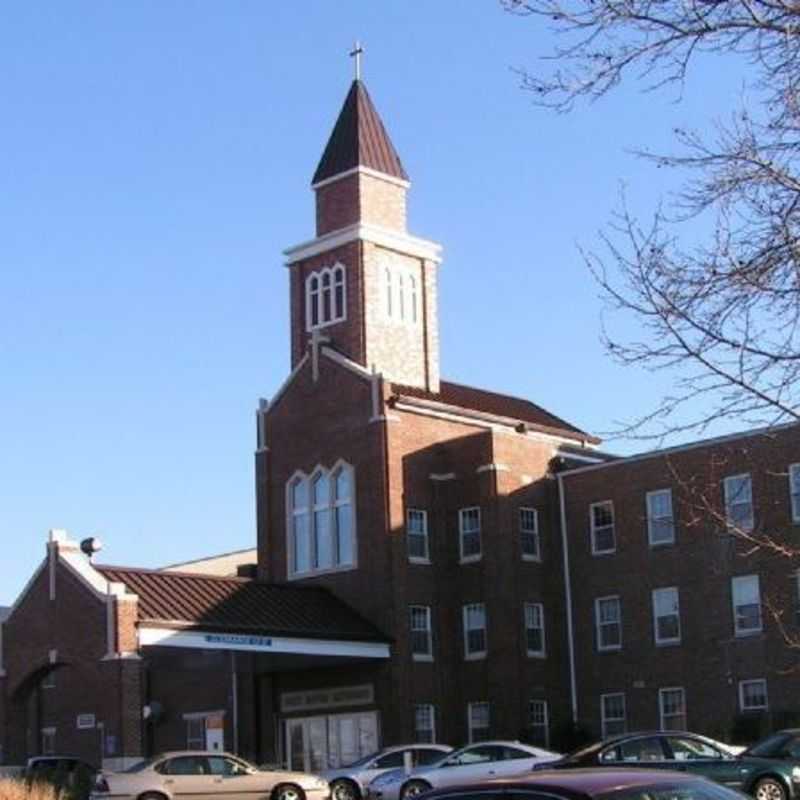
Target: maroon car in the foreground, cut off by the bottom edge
(592, 784)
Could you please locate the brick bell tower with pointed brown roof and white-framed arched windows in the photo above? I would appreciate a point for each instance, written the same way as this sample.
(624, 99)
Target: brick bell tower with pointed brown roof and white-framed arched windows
(364, 283)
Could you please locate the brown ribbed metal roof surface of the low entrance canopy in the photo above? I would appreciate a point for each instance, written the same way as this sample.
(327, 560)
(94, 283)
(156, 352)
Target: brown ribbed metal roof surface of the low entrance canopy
(215, 603)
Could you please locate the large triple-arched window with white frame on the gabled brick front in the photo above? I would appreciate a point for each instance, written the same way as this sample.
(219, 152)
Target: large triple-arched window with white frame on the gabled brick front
(320, 521)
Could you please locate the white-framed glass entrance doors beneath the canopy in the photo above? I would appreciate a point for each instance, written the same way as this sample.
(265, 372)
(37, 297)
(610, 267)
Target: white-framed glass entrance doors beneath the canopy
(314, 744)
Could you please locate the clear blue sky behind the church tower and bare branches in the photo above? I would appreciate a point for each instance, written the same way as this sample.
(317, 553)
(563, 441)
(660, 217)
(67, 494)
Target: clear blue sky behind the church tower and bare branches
(155, 159)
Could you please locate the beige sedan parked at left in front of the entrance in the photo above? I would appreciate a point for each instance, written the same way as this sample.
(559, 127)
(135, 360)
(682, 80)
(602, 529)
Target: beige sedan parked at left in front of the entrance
(190, 774)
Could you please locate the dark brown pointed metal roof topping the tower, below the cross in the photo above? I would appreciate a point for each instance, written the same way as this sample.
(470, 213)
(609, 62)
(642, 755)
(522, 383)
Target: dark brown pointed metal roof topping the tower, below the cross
(359, 139)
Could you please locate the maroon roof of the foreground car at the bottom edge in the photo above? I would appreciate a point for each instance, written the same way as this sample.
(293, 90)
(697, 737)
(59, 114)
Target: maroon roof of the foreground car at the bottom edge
(582, 781)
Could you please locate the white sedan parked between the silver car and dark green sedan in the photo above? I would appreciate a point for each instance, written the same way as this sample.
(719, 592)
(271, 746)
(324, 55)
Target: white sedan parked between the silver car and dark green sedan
(470, 764)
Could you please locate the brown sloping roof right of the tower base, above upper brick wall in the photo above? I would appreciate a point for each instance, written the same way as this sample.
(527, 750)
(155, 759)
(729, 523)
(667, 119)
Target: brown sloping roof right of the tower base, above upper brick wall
(500, 405)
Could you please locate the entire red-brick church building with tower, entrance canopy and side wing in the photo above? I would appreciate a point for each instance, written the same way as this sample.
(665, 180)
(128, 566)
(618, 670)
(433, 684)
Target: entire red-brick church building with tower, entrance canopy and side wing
(435, 562)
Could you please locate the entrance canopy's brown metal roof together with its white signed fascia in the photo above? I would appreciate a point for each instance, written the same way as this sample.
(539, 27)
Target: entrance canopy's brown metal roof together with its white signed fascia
(206, 612)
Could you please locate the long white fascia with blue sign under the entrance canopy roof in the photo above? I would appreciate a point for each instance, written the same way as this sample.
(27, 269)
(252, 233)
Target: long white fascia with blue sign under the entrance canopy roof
(166, 637)
